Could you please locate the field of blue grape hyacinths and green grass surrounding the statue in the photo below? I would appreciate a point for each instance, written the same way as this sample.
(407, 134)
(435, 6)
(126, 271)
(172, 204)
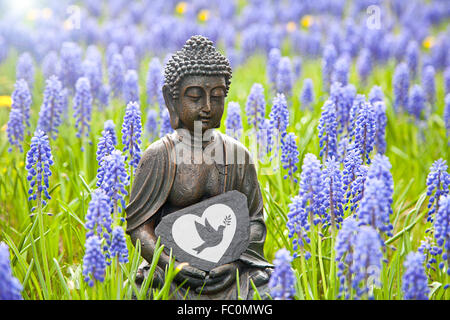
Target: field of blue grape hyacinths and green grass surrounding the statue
(346, 105)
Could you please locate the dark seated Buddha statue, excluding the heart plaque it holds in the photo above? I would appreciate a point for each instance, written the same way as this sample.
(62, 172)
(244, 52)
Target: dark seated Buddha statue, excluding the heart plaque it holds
(197, 80)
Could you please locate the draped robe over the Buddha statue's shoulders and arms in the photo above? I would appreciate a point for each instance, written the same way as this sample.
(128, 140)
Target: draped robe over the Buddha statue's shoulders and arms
(154, 179)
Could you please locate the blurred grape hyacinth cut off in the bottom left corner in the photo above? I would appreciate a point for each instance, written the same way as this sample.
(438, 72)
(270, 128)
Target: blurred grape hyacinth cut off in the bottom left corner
(10, 287)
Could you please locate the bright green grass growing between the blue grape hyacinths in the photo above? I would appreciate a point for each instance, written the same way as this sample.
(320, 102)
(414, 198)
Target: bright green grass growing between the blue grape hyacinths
(47, 249)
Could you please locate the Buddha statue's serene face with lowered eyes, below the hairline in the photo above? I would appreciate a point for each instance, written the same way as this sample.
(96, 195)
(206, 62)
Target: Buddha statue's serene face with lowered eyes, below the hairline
(201, 98)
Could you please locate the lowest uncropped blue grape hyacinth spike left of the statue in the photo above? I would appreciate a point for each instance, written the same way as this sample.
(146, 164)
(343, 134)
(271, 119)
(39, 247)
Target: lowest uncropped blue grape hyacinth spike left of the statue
(94, 262)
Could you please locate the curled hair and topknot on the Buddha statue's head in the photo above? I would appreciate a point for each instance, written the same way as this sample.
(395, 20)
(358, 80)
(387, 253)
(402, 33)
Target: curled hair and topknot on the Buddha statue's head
(197, 57)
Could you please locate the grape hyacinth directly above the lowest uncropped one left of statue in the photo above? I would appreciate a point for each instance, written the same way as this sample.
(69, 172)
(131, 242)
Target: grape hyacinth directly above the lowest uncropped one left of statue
(98, 217)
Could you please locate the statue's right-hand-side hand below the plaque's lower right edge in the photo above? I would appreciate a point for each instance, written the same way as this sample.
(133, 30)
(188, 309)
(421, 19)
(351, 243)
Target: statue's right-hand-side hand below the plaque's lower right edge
(220, 278)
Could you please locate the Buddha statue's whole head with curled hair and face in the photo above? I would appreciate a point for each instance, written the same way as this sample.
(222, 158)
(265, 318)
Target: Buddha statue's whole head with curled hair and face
(197, 80)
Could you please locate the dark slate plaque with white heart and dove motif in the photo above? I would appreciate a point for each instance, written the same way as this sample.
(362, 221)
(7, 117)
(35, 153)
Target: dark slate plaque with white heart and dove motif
(209, 233)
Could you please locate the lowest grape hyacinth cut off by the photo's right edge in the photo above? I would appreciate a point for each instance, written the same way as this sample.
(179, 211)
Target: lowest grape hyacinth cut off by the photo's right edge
(442, 230)
